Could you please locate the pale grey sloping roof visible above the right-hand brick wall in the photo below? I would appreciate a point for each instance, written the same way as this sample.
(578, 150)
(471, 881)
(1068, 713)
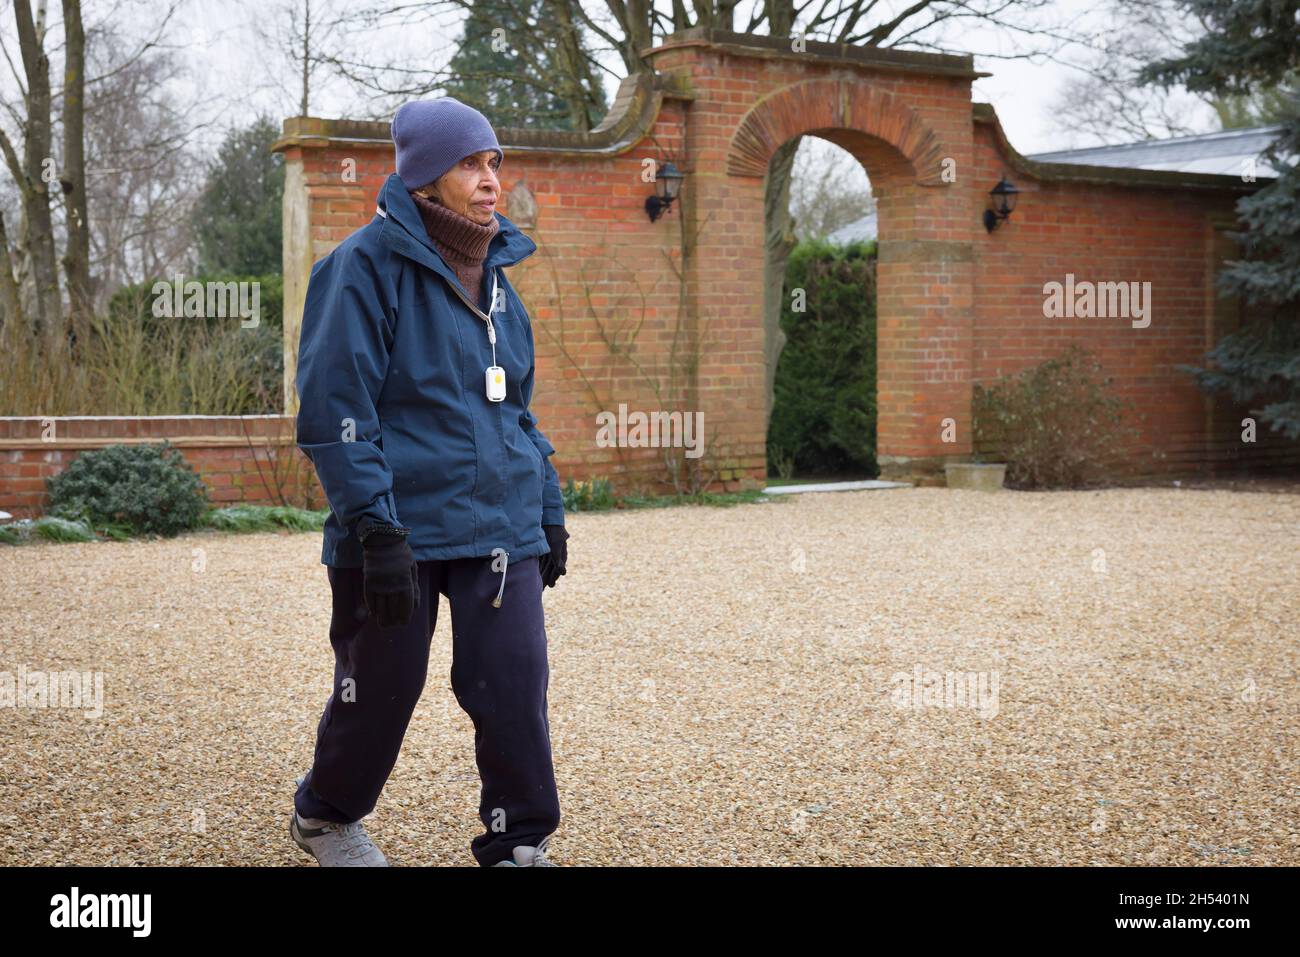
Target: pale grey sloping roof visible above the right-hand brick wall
(1225, 153)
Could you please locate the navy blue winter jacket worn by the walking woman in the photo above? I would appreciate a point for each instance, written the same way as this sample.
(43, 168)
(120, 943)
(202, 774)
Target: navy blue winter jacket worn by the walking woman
(393, 408)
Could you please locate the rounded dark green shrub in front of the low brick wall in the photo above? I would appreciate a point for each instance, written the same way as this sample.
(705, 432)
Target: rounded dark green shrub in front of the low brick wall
(145, 490)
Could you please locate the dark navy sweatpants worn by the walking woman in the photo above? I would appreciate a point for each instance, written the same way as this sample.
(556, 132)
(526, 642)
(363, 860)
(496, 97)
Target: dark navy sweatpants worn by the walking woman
(499, 674)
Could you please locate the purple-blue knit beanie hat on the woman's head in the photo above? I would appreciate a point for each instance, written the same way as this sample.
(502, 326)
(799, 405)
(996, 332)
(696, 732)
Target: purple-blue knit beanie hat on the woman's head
(434, 136)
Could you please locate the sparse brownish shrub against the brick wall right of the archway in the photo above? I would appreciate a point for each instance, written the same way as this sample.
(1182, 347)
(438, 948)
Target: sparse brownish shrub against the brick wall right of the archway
(1055, 425)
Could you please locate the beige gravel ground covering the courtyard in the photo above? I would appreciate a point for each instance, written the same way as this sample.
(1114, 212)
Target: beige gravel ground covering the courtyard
(725, 692)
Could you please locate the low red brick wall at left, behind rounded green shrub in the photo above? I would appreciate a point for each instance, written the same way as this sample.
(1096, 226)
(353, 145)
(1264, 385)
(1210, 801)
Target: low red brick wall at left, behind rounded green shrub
(252, 460)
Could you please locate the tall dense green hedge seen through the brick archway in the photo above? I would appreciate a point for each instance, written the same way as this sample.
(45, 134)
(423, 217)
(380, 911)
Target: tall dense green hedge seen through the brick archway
(825, 395)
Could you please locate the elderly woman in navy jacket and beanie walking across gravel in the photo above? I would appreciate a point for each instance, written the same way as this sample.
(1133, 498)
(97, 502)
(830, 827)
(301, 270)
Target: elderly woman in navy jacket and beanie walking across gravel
(415, 374)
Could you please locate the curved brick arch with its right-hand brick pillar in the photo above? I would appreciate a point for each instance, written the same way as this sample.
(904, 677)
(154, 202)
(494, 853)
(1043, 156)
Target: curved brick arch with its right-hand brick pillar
(924, 349)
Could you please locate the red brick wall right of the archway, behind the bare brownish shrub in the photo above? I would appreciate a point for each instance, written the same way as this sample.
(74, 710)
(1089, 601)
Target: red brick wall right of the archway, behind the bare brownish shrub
(1117, 233)
